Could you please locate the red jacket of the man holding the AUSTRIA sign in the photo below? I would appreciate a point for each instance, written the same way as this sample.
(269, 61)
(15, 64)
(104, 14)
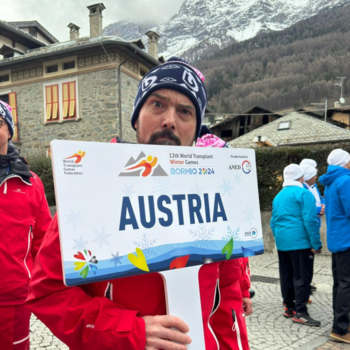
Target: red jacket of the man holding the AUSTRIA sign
(102, 315)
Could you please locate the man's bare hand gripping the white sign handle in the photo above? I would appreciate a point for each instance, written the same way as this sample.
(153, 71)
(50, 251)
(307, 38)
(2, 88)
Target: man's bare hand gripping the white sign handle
(159, 334)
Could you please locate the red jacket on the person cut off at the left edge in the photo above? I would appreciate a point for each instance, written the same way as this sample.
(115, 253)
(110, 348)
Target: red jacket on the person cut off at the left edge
(24, 219)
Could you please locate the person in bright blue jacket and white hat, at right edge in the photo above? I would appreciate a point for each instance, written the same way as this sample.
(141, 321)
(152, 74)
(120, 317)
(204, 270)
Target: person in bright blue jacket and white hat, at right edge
(337, 194)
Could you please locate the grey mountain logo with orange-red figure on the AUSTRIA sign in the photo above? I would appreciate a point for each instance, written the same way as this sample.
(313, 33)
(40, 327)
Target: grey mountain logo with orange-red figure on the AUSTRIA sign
(143, 166)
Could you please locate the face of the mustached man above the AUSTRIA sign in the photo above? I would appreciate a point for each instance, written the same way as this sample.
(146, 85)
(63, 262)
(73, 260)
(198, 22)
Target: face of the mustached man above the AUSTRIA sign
(167, 118)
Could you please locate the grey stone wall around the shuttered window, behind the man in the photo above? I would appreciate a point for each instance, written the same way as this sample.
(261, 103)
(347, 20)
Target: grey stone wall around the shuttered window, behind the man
(98, 112)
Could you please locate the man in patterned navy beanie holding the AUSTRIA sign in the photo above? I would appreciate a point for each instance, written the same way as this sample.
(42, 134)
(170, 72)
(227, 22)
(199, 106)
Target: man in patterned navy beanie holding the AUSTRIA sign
(127, 313)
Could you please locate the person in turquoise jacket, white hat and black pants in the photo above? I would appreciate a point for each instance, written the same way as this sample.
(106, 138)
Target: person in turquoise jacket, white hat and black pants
(295, 227)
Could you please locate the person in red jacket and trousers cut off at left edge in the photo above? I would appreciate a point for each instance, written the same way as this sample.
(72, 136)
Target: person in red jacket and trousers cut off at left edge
(24, 219)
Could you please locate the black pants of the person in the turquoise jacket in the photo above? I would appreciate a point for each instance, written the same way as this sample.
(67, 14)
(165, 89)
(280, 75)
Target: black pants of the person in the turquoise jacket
(296, 267)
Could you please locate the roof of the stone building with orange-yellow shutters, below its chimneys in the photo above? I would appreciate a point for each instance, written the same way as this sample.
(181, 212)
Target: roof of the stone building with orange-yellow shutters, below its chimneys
(72, 46)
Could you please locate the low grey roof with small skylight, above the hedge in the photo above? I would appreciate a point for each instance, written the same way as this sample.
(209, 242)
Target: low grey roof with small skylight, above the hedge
(303, 130)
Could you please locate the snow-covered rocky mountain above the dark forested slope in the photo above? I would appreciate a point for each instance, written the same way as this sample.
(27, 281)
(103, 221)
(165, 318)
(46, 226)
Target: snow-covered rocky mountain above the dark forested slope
(209, 25)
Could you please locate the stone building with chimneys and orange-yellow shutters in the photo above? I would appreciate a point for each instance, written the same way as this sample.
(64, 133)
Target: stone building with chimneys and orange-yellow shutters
(82, 89)
